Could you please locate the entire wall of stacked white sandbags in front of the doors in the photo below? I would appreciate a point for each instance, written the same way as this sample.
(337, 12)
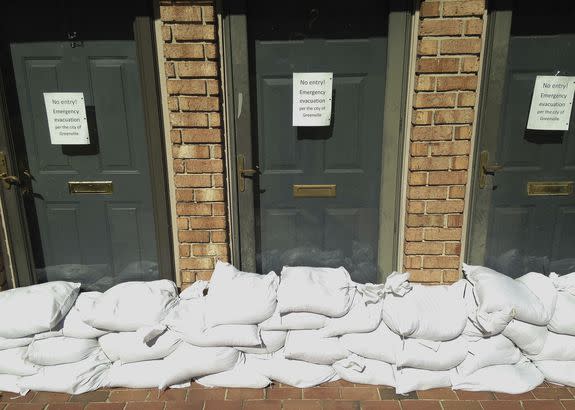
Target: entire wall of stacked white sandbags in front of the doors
(304, 327)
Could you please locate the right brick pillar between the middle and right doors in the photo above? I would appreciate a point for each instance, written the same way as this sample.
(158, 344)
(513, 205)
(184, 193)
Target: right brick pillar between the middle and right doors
(444, 105)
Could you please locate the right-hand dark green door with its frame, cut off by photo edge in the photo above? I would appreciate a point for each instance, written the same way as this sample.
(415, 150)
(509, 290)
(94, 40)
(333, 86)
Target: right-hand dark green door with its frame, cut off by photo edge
(525, 232)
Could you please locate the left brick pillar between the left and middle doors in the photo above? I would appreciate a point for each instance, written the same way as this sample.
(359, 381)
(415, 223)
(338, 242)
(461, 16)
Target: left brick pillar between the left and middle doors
(192, 66)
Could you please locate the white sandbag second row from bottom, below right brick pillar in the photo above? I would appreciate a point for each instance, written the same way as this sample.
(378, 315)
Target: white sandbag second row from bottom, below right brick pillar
(428, 355)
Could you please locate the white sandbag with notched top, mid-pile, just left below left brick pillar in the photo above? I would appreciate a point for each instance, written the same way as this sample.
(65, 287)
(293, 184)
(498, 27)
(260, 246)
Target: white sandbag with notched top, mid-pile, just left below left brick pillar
(128, 347)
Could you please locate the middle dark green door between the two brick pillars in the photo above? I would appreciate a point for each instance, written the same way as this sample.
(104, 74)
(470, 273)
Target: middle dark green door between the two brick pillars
(351, 43)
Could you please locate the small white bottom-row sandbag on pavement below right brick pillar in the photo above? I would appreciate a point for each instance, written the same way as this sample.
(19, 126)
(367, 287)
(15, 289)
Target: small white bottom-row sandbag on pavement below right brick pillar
(408, 379)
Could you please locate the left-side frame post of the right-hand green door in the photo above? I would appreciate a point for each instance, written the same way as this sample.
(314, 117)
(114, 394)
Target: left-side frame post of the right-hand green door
(488, 123)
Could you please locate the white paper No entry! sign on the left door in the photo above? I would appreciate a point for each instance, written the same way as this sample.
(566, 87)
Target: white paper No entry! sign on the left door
(67, 118)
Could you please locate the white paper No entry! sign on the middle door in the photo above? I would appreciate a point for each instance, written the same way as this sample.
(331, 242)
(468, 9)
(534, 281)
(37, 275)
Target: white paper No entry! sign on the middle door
(312, 99)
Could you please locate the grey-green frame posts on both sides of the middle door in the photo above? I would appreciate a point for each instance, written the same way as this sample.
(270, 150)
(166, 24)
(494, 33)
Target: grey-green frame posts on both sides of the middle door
(237, 113)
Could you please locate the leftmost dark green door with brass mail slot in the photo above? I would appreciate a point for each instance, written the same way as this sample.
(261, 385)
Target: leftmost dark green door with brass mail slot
(97, 238)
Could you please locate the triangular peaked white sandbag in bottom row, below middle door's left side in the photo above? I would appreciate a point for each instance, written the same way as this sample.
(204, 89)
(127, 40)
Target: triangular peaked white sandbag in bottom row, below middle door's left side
(241, 376)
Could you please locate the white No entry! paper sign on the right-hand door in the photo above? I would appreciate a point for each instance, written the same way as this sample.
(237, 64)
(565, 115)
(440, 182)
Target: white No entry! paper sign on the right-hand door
(551, 103)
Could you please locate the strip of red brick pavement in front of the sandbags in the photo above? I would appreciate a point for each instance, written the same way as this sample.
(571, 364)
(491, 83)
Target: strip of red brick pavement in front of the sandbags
(338, 395)
